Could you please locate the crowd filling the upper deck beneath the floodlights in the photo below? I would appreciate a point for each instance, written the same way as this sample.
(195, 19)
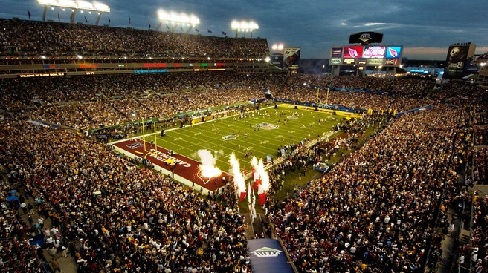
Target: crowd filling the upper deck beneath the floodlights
(52, 39)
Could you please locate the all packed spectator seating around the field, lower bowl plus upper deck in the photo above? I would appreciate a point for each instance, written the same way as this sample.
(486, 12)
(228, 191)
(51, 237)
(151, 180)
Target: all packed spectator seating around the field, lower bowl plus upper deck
(378, 210)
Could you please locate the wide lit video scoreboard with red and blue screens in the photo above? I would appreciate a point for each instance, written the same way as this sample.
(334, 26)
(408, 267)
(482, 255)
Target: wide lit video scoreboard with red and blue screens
(367, 55)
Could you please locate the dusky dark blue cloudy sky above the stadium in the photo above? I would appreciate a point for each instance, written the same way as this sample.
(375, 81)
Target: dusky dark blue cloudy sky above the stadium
(424, 27)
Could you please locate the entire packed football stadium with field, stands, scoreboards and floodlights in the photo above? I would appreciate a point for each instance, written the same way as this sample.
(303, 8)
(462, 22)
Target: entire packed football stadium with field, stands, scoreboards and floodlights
(127, 150)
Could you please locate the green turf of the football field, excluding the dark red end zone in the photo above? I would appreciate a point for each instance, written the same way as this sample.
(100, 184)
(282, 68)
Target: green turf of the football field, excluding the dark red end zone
(257, 135)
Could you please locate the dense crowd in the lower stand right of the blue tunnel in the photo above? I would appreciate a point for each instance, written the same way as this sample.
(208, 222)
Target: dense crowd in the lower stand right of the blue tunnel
(375, 210)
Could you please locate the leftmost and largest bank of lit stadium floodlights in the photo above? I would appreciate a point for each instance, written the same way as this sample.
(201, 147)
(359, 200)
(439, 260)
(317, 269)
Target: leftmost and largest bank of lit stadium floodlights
(75, 5)
